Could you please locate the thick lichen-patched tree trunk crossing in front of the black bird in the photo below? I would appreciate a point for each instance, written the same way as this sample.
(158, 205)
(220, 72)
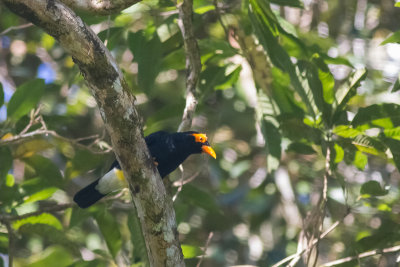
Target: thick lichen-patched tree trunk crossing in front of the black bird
(123, 123)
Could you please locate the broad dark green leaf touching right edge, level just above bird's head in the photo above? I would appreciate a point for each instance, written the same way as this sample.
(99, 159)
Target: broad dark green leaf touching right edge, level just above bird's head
(375, 113)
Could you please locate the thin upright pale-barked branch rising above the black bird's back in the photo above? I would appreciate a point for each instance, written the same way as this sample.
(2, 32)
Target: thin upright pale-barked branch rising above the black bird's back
(193, 63)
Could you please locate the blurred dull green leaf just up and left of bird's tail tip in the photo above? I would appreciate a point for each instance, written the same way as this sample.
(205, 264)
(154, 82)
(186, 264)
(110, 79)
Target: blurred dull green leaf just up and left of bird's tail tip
(46, 169)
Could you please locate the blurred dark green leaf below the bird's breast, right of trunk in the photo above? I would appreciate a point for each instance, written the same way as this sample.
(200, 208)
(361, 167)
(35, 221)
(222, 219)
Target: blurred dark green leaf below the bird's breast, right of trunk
(199, 198)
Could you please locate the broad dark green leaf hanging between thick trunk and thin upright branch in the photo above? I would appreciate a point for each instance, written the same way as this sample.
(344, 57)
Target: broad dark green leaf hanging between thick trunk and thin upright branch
(148, 55)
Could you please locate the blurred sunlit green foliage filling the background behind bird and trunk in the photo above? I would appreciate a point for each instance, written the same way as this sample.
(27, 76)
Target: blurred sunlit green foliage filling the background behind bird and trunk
(291, 92)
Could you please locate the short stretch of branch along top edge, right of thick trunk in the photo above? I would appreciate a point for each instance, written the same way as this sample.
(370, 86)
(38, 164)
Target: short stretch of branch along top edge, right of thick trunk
(100, 7)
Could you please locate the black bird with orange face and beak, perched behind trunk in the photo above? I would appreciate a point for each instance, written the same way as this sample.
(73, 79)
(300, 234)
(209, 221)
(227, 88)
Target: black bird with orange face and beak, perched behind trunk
(168, 151)
